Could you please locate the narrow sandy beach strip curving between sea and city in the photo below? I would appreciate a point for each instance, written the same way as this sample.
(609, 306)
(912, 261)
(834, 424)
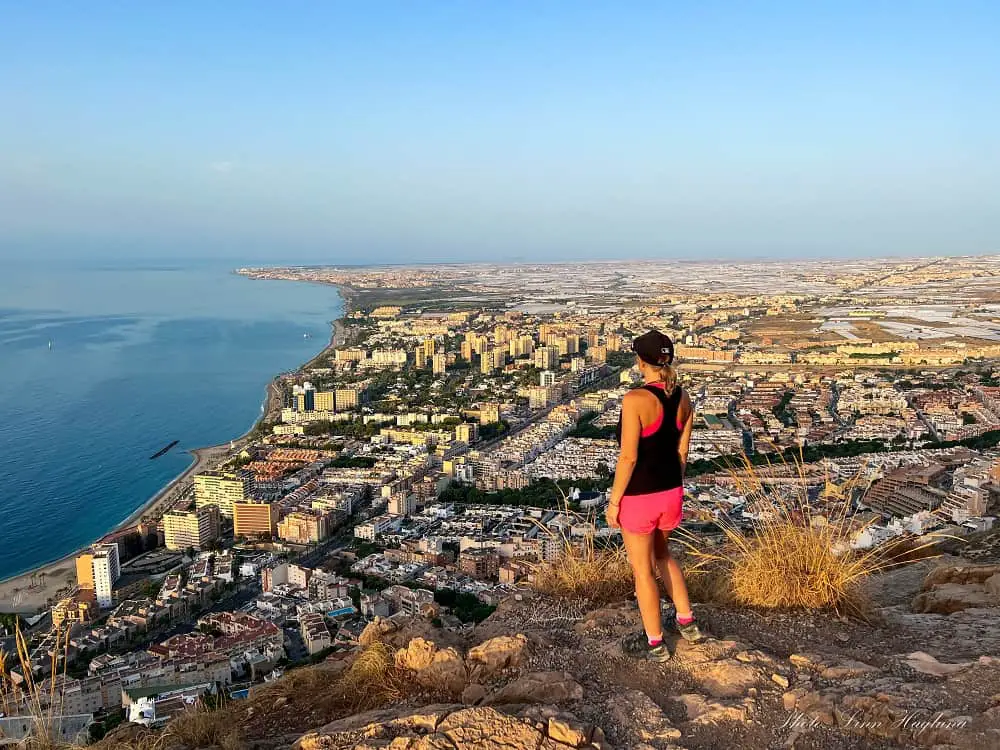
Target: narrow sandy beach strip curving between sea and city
(30, 591)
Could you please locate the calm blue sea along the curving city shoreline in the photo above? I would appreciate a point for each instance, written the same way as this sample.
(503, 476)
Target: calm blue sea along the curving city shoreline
(139, 357)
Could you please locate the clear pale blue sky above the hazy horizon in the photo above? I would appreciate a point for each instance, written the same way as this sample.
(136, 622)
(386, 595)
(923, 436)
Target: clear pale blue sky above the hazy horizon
(376, 131)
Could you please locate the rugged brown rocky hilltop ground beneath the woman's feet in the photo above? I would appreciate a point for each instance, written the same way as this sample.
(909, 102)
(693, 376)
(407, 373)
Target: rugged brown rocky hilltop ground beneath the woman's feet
(545, 673)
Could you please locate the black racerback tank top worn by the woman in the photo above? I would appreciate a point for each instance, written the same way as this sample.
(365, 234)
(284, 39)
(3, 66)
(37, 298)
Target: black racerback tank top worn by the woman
(658, 465)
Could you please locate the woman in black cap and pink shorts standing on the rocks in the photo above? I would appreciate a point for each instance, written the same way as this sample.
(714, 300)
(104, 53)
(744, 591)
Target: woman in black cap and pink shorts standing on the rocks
(646, 498)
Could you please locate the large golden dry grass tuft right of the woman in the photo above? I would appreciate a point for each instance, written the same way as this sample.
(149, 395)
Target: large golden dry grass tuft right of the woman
(795, 555)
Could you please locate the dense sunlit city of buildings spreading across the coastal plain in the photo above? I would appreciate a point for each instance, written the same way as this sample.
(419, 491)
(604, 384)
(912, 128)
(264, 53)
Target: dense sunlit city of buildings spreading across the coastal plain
(459, 432)
